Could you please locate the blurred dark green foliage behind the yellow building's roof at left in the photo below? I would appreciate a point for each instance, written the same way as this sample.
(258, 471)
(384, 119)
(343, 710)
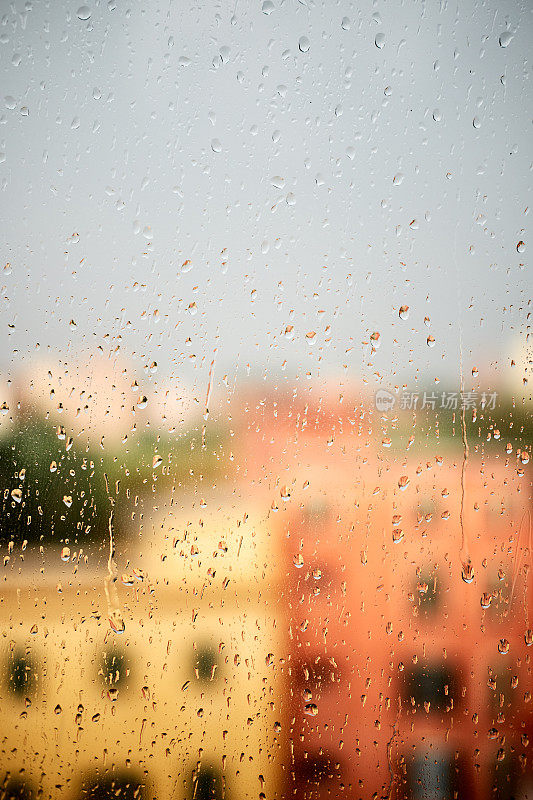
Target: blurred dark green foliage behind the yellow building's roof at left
(55, 489)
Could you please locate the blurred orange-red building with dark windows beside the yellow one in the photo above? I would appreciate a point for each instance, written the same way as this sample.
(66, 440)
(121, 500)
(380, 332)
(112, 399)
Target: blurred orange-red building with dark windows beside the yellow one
(407, 671)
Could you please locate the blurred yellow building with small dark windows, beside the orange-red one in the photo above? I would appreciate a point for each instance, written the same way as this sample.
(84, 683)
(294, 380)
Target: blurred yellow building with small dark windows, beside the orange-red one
(184, 702)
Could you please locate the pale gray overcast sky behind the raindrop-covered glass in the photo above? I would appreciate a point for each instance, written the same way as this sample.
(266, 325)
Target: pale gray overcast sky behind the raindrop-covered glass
(319, 164)
